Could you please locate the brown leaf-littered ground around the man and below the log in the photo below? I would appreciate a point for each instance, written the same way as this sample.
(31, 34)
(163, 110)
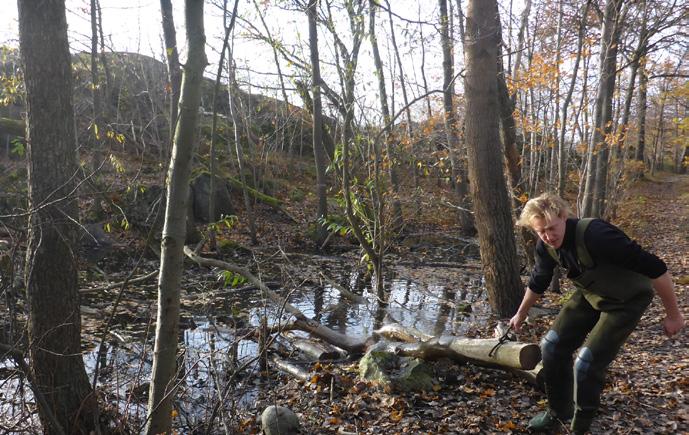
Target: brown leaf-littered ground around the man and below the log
(647, 388)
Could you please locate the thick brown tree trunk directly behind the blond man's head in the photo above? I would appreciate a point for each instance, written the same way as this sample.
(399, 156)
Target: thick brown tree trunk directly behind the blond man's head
(488, 187)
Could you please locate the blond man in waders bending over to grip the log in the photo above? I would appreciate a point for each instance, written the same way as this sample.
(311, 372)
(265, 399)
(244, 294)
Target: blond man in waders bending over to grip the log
(614, 280)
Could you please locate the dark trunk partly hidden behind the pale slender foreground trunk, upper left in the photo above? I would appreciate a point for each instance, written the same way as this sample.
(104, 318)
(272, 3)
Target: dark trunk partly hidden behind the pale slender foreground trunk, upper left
(173, 71)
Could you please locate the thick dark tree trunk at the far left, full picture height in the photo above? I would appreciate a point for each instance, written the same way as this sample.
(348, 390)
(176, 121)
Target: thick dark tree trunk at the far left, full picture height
(51, 270)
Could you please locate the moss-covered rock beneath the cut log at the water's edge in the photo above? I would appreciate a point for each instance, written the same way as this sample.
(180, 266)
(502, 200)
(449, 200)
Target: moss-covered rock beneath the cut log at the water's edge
(399, 373)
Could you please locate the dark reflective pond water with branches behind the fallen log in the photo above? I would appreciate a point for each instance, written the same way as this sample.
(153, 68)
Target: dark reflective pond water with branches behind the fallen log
(433, 300)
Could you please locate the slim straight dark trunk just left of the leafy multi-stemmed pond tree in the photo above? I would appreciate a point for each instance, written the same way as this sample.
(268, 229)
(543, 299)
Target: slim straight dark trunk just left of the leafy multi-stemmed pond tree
(317, 120)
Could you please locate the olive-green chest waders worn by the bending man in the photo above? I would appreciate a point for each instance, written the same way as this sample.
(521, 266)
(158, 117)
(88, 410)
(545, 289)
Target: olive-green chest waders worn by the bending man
(604, 309)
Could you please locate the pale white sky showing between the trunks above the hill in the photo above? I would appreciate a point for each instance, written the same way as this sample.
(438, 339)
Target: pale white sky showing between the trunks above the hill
(135, 26)
